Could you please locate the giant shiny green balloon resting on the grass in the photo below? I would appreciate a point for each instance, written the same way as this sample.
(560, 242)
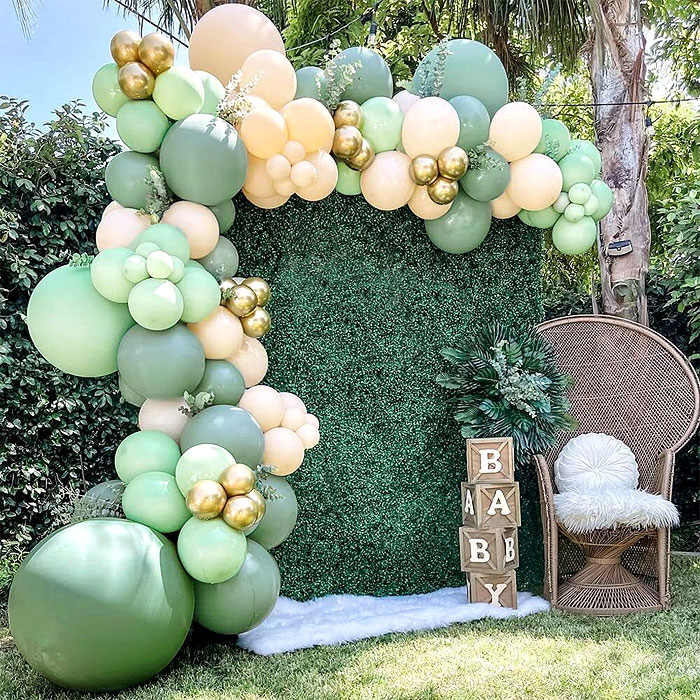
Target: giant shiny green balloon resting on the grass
(101, 605)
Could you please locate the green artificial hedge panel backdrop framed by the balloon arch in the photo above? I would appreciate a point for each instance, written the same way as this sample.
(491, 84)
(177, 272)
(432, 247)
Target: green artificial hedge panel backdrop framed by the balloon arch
(362, 303)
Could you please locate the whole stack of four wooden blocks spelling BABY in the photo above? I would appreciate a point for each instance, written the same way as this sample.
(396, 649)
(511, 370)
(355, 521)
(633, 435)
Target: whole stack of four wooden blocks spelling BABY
(488, 540)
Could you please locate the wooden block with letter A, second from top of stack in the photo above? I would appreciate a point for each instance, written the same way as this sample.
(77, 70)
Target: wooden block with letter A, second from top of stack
(490, 505)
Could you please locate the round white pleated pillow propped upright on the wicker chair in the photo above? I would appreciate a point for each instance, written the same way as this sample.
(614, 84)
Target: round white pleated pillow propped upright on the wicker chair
(595, 461)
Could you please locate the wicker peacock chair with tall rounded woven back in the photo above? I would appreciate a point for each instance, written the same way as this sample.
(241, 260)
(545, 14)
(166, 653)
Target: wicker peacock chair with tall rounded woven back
(633, 384)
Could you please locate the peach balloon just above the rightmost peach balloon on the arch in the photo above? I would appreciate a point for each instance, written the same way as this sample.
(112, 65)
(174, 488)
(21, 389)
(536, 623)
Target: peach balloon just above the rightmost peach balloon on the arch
(515, 130)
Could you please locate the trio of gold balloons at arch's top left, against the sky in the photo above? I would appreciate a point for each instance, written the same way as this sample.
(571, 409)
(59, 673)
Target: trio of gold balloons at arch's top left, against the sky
(140, 60)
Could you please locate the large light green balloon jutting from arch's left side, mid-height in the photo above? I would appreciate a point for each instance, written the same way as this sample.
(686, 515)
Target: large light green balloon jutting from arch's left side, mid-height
(73, 326)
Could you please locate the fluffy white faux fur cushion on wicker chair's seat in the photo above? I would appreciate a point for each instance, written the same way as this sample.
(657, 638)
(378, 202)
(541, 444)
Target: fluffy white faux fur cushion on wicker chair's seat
(616, 507)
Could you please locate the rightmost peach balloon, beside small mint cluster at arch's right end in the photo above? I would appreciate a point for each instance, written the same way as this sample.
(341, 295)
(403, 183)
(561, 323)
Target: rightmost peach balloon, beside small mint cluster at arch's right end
(535, 182)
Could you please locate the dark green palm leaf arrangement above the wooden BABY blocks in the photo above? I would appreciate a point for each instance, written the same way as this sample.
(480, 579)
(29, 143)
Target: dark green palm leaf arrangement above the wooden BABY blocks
(505, 382)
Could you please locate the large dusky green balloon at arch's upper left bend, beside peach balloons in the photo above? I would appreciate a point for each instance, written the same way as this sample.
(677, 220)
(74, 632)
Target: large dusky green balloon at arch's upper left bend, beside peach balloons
(203, 159)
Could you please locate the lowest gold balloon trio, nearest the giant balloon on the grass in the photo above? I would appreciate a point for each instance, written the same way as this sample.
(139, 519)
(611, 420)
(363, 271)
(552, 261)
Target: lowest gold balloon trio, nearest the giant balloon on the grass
(233, 496)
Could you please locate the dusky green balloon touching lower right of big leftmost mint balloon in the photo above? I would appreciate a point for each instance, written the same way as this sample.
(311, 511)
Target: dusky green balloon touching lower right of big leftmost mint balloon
(161, 364)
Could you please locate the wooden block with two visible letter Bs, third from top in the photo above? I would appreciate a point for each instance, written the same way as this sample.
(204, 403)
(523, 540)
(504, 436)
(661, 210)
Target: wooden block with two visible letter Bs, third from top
(488, 551)
